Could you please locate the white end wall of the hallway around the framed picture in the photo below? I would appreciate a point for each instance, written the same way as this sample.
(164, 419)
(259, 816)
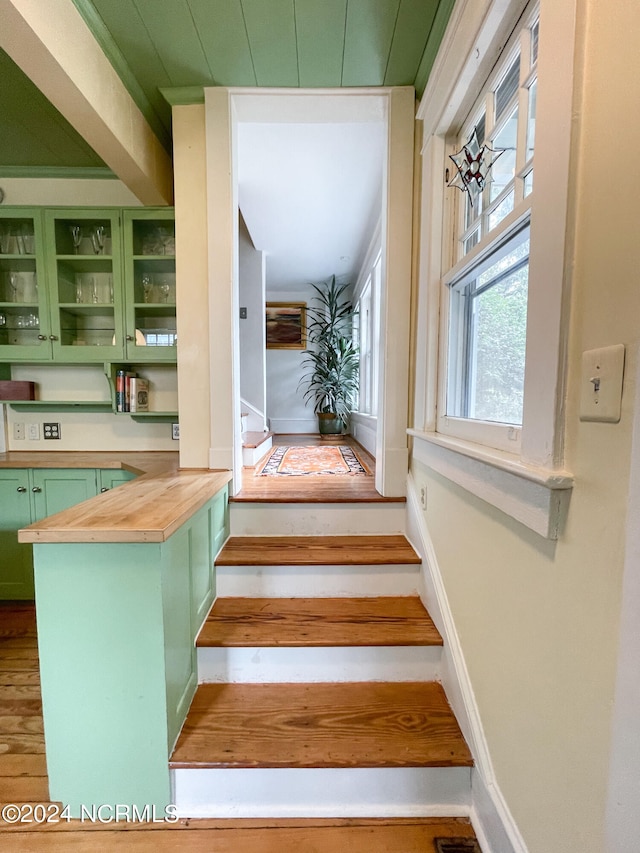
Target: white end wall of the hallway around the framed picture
(286, 409)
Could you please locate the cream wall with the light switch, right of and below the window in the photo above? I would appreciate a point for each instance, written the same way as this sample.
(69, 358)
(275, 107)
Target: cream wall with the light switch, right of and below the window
(538, 621)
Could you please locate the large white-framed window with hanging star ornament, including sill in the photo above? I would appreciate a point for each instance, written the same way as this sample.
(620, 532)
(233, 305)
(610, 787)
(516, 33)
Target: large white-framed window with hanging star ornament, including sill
(486, 270)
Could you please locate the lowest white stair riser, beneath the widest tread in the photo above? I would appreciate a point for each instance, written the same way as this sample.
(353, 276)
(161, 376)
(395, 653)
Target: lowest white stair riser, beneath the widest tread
(318, 793)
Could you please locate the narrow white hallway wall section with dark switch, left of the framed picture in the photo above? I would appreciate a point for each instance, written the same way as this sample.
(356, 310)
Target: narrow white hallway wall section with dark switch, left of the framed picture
(251, 274)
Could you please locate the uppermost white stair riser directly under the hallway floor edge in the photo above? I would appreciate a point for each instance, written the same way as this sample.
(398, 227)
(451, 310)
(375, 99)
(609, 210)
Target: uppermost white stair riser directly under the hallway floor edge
(282, 519)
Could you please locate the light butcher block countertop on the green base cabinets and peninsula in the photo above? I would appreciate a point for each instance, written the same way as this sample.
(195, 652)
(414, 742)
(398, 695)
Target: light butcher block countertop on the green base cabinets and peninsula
(149, 508)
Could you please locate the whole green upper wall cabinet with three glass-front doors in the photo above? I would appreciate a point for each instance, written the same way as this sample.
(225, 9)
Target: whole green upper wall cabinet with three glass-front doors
(87, 284)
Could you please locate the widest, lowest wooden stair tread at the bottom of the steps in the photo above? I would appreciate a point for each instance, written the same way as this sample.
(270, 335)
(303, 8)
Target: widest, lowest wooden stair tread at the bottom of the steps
(364, 724)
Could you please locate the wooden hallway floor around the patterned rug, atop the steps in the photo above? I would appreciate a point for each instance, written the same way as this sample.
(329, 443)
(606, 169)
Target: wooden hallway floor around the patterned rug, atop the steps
(319, 488)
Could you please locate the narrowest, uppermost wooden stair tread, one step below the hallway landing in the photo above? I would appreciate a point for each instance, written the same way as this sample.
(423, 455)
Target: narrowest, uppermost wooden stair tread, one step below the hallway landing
(316, 551)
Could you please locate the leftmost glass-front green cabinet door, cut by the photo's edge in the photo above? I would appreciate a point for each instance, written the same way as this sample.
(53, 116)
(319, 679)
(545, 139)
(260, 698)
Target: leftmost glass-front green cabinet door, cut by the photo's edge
(24, 317)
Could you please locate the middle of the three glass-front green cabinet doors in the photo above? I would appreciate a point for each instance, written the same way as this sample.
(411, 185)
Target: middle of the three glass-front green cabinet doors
(85, 287)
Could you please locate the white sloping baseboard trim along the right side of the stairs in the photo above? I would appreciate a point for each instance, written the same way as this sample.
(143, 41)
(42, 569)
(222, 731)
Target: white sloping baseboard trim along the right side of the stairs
(491, 818)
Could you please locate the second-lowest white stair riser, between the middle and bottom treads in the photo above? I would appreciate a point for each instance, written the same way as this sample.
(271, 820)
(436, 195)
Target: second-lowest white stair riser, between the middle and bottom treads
(310, 664)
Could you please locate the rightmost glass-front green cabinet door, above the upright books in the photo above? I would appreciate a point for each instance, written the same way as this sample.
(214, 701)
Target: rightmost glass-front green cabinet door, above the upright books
(150, 285)
